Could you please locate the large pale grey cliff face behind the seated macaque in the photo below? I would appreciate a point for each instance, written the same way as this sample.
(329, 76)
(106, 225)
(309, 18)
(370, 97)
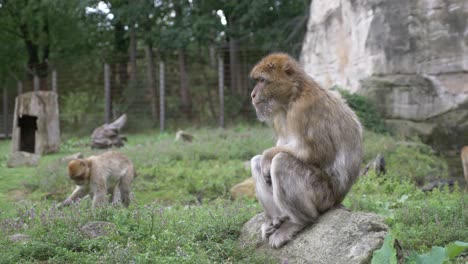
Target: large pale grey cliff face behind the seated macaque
(409, 57)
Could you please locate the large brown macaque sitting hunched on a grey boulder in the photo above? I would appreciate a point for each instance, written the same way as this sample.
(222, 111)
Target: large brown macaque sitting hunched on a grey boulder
(318, 151)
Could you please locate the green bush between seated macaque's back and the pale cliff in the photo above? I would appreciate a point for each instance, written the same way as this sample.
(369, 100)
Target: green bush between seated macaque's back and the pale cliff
(365, 110)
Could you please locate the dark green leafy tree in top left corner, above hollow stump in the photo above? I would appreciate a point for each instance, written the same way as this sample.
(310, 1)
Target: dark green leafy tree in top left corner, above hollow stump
(42, 27)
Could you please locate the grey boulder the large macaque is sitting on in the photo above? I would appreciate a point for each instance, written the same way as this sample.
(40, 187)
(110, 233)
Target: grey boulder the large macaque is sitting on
(338, 237)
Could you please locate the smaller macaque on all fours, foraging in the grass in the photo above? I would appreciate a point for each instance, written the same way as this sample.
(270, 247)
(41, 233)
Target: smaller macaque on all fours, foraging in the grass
(108, 173)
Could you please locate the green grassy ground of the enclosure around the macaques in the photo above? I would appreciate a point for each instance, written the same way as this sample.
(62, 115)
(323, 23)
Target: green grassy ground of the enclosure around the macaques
(182, 212)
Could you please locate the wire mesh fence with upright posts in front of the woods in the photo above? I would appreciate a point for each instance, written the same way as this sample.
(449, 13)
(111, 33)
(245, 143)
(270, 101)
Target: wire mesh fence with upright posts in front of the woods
(164, 91)
